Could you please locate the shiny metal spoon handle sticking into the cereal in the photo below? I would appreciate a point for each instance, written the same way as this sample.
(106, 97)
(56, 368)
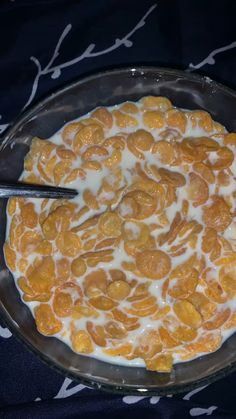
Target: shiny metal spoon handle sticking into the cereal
(25, 190)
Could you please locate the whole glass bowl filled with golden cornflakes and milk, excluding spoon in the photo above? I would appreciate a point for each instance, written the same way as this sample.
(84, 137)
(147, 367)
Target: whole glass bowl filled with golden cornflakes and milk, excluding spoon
(129, 287)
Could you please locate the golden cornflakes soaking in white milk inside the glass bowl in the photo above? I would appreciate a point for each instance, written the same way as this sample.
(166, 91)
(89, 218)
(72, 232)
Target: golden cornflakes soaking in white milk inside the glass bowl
(141, 265)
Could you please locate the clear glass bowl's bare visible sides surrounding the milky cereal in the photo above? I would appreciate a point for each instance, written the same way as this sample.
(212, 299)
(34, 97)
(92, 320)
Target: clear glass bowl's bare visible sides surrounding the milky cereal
(185, 90)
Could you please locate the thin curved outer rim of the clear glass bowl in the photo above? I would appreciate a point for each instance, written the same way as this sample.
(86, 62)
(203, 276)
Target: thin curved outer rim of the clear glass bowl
(93, 382)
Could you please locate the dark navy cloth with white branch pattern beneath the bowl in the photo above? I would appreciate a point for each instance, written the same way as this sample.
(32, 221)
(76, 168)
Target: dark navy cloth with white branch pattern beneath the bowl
(198, 35)
